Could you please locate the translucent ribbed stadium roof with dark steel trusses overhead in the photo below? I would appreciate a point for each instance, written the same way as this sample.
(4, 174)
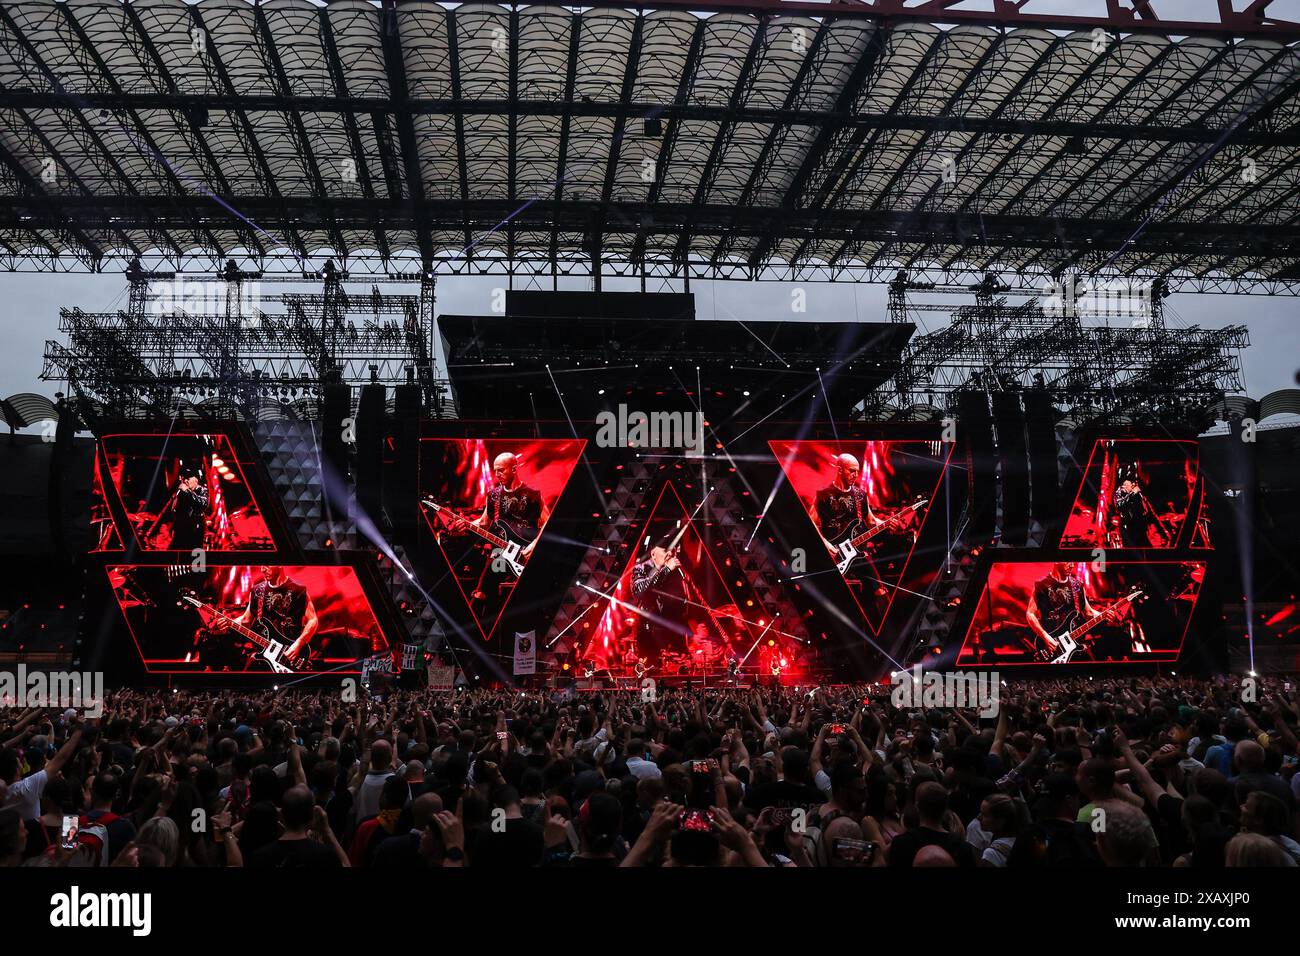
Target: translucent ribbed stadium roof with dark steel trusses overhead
(727, 139)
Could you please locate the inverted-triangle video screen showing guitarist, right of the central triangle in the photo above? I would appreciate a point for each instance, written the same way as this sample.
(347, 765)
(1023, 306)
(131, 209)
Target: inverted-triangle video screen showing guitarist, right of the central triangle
(866, 501)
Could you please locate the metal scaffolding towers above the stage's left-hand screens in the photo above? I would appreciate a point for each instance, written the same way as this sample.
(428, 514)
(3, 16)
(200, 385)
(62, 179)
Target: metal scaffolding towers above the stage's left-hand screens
(207, 349)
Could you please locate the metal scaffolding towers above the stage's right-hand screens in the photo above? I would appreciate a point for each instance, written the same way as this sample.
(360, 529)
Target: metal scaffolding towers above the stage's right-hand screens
(1098, 351)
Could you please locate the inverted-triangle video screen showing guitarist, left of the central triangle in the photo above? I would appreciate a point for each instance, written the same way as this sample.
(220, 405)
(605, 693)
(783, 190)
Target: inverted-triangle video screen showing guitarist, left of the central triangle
(487, 503)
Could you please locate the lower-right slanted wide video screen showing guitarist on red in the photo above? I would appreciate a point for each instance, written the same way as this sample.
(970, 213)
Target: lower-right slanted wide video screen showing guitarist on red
(1074, 613)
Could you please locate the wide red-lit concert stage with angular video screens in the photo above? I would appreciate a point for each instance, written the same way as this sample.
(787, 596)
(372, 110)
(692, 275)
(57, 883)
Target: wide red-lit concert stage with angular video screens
(534, 553)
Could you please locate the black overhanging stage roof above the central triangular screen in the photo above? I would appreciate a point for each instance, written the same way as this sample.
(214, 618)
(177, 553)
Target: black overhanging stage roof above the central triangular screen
(565, 367)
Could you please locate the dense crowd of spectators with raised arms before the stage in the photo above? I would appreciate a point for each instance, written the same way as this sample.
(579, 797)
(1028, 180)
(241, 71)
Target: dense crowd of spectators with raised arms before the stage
(1073, 773)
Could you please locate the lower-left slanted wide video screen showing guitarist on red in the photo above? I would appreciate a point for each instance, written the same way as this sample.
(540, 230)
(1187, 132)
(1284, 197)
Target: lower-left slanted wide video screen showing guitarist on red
(245, 618)
